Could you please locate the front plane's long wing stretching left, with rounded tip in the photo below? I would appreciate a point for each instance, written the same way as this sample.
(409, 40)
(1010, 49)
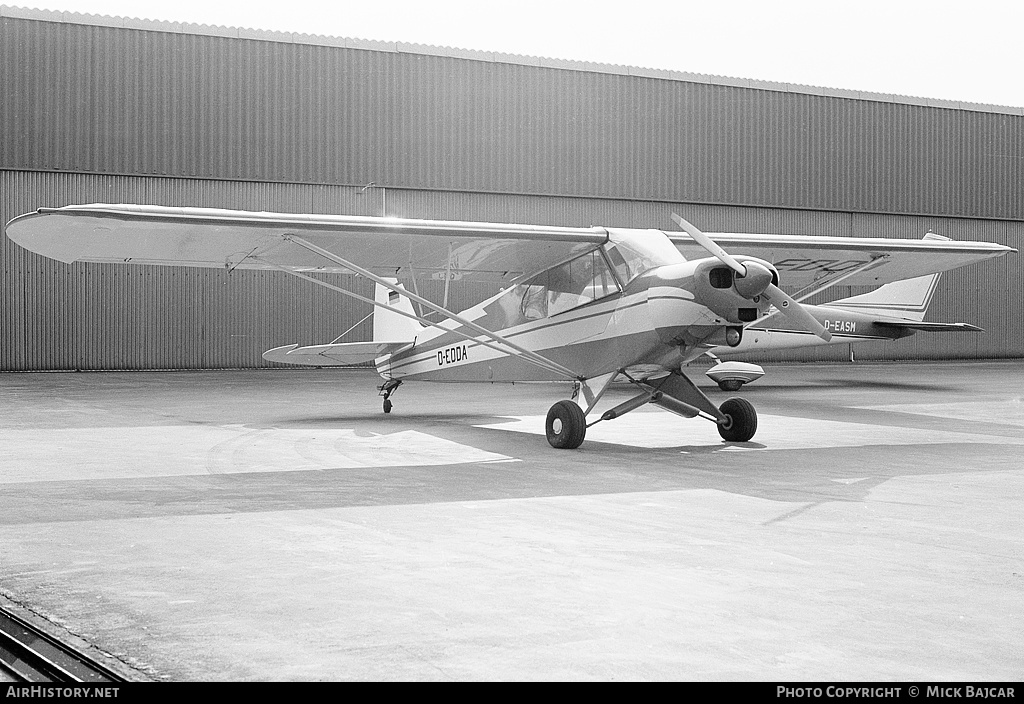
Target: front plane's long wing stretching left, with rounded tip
(225, 239)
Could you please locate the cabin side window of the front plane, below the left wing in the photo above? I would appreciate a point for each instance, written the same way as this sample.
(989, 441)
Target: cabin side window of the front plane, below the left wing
(570, 286)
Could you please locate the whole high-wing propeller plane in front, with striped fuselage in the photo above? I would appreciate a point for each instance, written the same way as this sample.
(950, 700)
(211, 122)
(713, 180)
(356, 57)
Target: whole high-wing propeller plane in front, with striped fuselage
(581, 304)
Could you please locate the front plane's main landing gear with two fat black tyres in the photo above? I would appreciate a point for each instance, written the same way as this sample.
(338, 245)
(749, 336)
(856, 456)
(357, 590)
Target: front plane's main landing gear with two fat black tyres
(738, 422)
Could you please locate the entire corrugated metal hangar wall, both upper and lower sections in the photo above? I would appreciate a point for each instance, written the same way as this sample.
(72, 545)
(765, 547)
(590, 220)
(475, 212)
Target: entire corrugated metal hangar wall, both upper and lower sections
(119, 111)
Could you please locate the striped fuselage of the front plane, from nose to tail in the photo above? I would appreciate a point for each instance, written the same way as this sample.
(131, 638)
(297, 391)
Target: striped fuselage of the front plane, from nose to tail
(656, 321)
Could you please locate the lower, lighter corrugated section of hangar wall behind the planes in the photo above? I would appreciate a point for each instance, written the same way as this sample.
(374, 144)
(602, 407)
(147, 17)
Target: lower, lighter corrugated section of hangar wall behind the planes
(91, 317)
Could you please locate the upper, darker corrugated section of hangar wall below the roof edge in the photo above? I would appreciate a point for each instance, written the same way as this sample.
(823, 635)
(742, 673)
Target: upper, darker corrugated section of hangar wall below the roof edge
(116, 101)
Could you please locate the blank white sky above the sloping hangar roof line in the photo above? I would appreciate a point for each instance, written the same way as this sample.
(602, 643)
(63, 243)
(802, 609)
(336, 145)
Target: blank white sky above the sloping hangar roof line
(968, 52)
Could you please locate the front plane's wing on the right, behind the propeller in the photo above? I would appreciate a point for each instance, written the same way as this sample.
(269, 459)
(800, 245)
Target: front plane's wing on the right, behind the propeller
(809, 261)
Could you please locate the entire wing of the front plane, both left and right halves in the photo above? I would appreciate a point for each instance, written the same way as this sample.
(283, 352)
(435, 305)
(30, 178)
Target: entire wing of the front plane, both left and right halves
(210, 238)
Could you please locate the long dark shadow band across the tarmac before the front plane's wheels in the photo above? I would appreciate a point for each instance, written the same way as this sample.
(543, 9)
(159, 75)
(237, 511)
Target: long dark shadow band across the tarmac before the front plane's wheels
(798, 477)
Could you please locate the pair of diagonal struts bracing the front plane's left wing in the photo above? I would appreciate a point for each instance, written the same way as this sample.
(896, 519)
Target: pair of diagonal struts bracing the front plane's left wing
(524, 354)
